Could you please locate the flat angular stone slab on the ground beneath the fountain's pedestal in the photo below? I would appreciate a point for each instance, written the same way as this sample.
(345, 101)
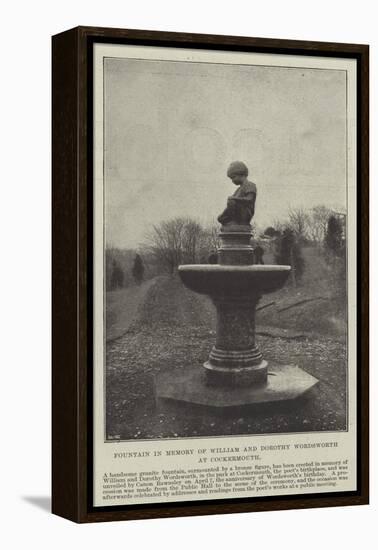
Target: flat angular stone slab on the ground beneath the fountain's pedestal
(189, 387)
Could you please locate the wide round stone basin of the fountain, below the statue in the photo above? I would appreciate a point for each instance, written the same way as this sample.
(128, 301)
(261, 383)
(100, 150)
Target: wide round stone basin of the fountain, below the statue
(216, 280)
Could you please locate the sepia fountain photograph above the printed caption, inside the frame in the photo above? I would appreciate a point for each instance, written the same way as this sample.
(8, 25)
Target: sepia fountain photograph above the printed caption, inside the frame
(224, 246)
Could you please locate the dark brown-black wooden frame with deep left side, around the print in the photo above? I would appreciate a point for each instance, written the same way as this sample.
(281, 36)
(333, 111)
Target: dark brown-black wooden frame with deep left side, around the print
(72, 233)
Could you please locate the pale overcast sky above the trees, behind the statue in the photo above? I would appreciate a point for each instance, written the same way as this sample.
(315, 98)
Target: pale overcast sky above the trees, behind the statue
(172, 128)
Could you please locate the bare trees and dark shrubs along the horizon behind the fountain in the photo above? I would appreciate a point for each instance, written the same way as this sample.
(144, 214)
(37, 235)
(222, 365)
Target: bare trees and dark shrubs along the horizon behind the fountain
(184, 240)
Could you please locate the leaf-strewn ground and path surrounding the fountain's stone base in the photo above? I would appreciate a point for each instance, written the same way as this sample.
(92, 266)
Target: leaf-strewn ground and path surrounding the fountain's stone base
(175, 327)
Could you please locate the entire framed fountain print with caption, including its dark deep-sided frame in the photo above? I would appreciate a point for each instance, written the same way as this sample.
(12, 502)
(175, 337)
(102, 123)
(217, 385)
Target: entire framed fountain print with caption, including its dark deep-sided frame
(210, 274)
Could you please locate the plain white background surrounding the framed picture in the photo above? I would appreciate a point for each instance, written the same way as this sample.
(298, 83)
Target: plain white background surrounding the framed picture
(25, 273)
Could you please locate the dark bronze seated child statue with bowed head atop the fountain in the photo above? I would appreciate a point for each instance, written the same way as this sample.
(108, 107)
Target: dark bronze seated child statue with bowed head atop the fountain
(241, 205)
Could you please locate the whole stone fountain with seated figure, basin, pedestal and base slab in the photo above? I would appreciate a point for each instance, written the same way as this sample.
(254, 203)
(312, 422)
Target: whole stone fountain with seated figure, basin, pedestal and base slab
(235, 374)
